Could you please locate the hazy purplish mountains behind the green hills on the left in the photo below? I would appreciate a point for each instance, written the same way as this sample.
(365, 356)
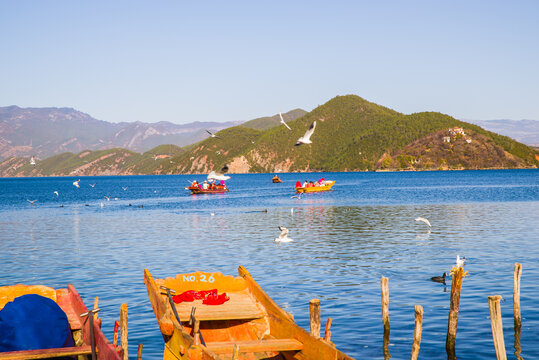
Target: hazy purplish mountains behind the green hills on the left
(43, 132)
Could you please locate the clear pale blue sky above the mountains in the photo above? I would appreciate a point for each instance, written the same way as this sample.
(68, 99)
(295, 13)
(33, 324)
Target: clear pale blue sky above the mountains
(185, 61)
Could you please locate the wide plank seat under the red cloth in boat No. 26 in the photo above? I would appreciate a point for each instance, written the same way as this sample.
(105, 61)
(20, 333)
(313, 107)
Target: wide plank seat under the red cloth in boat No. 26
(241, 306)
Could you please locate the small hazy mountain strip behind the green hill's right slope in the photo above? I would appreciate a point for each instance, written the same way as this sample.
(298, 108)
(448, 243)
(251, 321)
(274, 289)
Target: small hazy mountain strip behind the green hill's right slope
(524, 131)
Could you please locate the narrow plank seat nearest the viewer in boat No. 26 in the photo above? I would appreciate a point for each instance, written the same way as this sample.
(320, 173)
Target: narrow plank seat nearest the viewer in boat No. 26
(270, 345)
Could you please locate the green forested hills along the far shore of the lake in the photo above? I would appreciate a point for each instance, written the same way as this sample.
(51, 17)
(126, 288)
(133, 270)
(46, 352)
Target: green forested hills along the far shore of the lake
(351, 134)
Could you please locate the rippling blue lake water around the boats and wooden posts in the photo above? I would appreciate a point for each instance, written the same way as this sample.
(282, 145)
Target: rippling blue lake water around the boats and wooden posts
(344, 241)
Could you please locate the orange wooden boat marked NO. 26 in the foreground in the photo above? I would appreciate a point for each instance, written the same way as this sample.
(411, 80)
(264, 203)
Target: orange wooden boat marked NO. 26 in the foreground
(250, 325)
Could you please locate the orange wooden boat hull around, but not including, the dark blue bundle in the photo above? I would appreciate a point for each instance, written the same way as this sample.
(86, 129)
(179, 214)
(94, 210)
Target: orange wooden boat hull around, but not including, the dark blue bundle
(78, 316)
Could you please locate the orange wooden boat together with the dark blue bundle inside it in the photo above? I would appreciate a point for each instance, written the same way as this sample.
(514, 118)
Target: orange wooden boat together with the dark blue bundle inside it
(87, 339)
